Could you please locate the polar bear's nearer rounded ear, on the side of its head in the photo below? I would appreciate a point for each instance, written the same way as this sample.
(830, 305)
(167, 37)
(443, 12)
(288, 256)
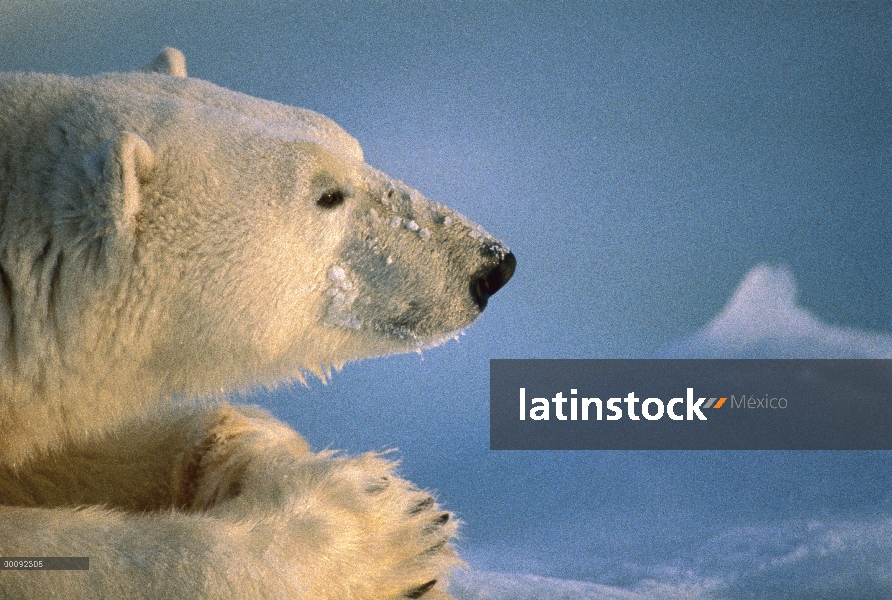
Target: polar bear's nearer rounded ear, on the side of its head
(121, 166)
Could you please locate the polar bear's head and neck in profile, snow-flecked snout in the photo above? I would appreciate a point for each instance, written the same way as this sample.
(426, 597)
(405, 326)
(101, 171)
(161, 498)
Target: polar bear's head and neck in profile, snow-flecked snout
(209, 239)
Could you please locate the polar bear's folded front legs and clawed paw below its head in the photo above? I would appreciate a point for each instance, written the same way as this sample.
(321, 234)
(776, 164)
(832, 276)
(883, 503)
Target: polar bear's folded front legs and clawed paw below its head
(237, 498)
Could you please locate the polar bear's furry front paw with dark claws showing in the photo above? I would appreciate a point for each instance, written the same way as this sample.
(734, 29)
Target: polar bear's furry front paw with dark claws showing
(392, 538)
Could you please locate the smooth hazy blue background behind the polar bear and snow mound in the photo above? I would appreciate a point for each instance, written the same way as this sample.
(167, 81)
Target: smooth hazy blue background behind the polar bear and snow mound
(640, 159)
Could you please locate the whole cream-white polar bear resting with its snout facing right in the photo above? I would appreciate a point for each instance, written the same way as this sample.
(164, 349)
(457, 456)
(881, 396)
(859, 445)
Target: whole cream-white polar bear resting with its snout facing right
(162, 240)
